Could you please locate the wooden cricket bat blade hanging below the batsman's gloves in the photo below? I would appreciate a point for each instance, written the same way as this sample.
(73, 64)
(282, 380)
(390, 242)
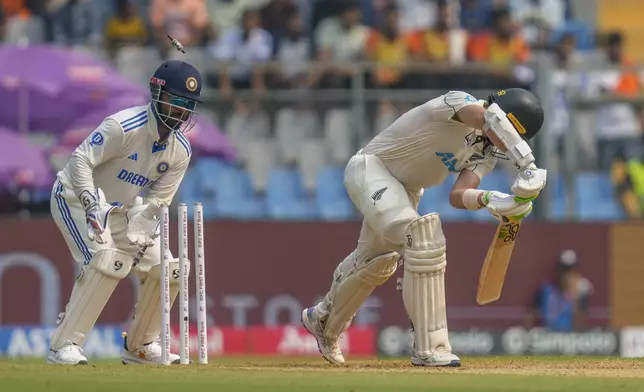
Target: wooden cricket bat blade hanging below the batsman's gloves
(496, 262)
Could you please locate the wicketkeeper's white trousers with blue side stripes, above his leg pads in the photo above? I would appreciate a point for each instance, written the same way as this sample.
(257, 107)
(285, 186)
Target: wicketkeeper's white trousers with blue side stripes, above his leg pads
(69, 215)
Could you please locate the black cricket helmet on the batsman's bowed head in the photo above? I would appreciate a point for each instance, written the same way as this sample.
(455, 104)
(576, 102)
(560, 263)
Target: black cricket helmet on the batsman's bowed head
(522, 108)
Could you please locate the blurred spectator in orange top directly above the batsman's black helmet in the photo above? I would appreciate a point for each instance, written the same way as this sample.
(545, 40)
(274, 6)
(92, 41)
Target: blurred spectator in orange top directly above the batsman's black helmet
(503, 46)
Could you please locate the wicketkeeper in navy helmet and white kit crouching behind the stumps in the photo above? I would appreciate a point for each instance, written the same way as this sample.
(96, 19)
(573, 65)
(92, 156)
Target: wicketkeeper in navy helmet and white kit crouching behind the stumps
(106, 203)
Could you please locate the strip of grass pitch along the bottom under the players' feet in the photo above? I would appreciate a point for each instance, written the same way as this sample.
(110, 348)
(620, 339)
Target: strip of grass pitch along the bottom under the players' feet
(523, 374)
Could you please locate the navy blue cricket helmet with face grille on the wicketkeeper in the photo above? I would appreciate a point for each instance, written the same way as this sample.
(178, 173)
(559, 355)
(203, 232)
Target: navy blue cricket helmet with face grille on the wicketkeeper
(175, 89)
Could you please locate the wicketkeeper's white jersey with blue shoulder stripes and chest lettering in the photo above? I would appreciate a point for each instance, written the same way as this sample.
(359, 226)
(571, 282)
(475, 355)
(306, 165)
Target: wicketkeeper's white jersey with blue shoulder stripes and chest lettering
(124, 157)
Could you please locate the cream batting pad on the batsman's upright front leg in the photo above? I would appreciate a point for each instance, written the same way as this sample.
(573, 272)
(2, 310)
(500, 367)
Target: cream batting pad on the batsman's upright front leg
(424, 284)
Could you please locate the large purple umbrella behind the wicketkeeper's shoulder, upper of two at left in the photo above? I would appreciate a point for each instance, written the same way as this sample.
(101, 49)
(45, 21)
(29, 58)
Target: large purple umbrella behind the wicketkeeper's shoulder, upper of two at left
(52, 86)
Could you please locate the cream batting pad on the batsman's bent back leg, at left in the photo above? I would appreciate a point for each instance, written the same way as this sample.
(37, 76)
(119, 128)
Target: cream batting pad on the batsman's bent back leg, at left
(354, 289)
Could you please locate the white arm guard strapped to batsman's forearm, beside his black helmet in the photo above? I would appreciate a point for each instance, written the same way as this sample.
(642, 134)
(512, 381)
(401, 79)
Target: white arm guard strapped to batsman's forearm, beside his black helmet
(518, 149)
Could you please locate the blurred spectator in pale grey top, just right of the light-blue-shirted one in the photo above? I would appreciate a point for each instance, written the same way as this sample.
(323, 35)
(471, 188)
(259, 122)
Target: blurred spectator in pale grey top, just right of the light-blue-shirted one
(292, 53)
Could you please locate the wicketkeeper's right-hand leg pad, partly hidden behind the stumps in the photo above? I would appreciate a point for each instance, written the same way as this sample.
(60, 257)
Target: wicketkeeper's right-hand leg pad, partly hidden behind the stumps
(146, 326)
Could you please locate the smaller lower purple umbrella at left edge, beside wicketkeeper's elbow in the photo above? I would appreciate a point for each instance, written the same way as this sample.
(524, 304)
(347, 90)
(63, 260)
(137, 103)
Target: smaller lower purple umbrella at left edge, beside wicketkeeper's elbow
(21, 161)
